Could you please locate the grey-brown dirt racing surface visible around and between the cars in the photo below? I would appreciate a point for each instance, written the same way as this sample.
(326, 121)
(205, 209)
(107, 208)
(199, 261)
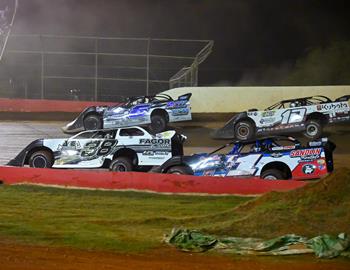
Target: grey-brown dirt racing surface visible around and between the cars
(15, 135)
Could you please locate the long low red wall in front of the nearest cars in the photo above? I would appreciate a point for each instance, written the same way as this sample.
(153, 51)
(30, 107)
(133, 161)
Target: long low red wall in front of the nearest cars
(163, 183)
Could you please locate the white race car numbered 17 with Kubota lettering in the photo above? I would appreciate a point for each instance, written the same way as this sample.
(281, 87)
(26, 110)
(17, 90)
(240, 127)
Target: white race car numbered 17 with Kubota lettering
(308, 115)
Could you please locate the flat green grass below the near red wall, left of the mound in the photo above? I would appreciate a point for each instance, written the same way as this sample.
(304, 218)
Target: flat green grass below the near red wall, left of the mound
(101, 220)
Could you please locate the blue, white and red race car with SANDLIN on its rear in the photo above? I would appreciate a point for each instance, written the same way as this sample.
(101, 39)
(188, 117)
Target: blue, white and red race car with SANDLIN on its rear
(268, 158)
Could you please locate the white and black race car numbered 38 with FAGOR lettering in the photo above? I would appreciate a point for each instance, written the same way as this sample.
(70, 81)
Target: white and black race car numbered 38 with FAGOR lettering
(123, 149)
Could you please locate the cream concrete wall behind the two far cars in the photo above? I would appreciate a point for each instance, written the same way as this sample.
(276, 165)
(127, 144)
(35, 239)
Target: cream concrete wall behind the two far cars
(236, 99)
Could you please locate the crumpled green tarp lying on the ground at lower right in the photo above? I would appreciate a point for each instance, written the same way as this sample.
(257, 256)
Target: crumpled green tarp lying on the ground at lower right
(323, 246)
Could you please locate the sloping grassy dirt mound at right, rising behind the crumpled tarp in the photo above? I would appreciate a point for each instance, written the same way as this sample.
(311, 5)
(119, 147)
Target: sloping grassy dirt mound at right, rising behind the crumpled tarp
(318, 208)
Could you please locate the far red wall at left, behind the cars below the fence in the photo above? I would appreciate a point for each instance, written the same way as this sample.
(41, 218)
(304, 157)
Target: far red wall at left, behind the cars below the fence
(44, 105)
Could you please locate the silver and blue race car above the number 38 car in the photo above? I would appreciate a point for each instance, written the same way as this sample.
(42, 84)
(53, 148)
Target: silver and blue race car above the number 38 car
(155, 111)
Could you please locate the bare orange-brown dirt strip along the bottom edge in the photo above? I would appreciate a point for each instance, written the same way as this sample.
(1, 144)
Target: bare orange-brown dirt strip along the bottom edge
(37, 258)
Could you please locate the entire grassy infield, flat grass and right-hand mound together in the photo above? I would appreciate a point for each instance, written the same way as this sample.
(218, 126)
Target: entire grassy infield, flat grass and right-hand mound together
(132, 222)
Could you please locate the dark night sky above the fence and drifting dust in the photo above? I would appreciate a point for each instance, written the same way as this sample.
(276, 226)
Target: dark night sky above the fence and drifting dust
(249, 35)
